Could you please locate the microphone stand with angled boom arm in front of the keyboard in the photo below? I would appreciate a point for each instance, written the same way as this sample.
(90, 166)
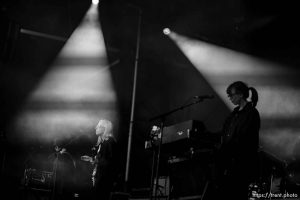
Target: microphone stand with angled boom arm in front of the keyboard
(162, 117)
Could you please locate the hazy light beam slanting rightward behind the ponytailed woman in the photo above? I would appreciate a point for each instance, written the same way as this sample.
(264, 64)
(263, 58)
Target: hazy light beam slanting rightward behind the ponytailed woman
(279, 96)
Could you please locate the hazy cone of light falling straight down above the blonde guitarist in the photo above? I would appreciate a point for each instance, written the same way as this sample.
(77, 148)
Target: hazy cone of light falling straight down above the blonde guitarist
(75, 93)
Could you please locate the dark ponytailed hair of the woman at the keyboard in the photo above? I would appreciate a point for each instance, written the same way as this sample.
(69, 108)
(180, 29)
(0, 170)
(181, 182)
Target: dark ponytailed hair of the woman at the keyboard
(242, 88)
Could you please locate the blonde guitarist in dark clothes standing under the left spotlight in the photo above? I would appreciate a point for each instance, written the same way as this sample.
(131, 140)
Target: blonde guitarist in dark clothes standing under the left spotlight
(105, 161)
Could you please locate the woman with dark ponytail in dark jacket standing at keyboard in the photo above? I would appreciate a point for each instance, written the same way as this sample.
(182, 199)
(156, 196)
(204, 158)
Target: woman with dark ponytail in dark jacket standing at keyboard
(238, 153)
